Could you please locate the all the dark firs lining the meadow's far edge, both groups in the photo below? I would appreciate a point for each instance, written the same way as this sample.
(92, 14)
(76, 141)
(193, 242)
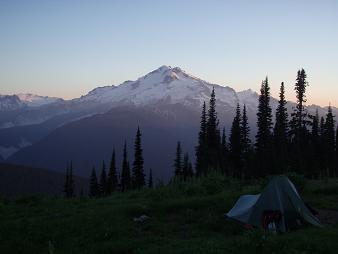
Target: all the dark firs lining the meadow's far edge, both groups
(300, 142)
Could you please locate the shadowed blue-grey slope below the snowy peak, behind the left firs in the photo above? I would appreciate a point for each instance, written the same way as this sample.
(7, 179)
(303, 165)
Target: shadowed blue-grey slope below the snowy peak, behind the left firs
(89, 141)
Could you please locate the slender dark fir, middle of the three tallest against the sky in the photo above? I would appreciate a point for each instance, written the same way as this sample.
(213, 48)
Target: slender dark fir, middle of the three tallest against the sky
(280, 133)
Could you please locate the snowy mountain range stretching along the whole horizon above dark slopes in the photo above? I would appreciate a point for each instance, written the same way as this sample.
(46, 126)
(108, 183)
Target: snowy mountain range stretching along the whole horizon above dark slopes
(165, 85)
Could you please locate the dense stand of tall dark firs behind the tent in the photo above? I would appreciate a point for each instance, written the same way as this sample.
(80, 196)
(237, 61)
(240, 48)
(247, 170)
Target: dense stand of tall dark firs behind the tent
(299, 142)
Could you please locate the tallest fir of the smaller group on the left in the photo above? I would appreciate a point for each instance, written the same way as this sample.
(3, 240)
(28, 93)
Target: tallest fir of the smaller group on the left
(138, 173)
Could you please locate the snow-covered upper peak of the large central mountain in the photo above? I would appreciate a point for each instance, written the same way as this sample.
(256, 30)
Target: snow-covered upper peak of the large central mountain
(165, 84)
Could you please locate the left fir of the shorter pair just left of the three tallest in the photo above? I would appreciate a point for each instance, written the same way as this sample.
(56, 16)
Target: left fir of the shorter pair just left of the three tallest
(235, 145)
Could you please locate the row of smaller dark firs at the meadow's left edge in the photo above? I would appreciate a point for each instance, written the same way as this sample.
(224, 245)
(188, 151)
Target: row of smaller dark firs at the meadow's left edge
(111, 181)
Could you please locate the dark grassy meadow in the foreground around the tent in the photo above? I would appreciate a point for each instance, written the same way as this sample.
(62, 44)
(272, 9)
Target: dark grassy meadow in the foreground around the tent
(183, 218)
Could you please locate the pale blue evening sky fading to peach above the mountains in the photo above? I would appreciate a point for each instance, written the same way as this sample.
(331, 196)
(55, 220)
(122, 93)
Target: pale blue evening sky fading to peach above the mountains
(65, 48)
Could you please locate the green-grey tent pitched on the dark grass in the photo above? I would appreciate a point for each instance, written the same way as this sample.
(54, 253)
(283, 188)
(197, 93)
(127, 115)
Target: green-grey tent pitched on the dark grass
(280, 198)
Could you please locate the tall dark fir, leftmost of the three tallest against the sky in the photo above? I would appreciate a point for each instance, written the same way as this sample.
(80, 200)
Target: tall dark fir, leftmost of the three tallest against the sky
(263, 137)
